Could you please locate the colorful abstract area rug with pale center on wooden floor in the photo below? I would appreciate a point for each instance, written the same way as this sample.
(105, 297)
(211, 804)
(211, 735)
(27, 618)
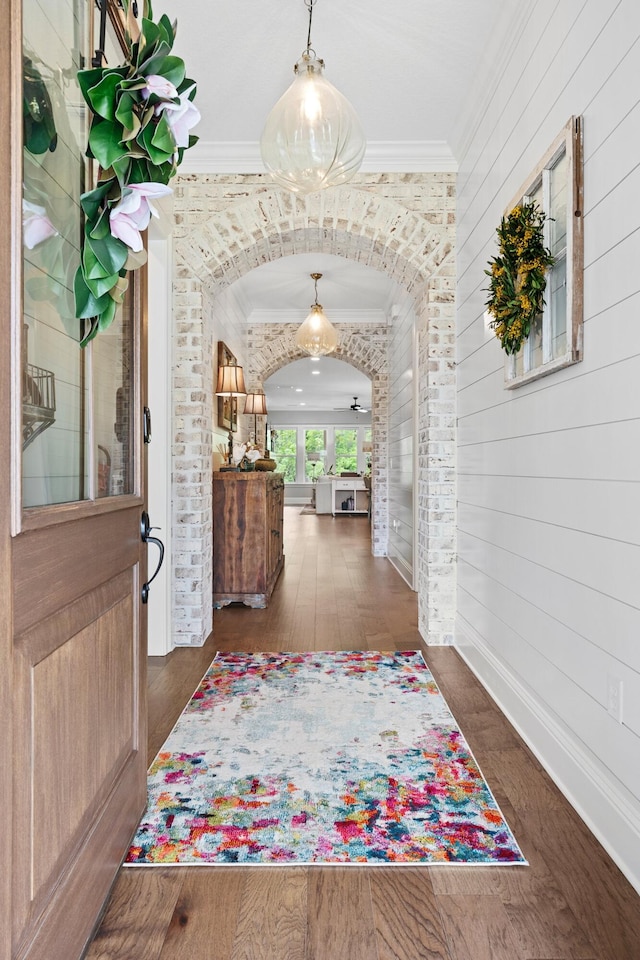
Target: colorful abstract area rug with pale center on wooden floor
(319, 758)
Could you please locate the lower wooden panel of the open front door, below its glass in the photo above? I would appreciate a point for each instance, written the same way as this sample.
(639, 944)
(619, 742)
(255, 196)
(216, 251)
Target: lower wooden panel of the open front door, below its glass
(78, 729)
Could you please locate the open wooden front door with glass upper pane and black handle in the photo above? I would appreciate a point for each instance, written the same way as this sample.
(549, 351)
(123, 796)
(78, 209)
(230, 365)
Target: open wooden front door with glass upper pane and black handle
(72, 562)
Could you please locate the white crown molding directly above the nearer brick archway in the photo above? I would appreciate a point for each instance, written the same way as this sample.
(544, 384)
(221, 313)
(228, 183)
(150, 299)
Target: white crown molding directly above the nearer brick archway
(403, 156)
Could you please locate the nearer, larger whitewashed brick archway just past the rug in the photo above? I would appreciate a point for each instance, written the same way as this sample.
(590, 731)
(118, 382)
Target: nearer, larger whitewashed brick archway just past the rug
(227, 226)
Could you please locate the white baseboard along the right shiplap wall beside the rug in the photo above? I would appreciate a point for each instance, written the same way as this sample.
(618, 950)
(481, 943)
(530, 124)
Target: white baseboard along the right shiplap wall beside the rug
(606, 810)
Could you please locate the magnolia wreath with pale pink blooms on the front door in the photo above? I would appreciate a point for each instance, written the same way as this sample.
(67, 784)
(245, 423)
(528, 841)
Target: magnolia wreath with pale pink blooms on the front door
(142, 113)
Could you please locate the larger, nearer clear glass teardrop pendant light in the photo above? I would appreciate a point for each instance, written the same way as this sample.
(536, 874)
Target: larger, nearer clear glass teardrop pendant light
(312, 138)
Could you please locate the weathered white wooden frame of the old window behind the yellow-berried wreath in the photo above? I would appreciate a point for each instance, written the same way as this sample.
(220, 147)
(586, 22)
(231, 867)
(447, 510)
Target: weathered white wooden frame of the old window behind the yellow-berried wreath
(568, 142)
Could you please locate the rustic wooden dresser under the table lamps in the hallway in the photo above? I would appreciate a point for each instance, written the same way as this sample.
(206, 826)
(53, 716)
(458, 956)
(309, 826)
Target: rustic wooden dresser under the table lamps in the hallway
(247, 537)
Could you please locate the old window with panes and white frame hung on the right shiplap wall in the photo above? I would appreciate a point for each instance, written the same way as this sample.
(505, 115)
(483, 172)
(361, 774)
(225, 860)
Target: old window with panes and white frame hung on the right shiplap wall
(555, 340)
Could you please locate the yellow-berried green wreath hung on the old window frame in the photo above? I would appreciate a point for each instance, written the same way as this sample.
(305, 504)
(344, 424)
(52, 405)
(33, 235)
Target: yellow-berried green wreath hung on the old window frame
(518, 275)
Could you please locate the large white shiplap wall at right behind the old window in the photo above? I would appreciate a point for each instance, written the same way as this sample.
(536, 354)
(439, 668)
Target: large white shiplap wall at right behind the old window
(549, 474)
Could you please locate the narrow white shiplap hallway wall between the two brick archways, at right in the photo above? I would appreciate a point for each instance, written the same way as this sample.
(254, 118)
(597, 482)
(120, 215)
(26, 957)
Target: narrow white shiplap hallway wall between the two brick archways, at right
(401, 439)
